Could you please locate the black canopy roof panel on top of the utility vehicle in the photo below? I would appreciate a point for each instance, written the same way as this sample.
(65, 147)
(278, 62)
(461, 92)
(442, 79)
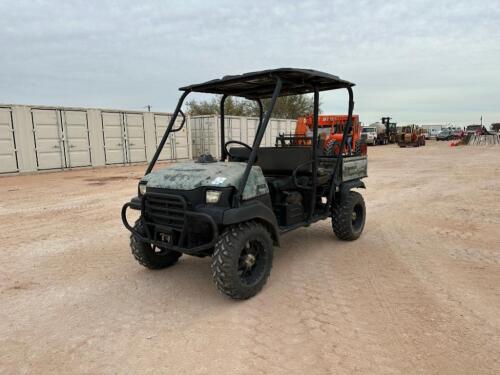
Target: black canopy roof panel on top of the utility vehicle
(261, 84)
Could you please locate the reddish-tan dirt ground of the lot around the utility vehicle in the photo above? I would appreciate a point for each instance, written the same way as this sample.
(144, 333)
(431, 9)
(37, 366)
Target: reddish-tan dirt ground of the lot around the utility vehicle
(419, 292)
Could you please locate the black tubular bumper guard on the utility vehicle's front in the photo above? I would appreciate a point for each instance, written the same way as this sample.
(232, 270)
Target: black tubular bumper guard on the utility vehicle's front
(187, 214)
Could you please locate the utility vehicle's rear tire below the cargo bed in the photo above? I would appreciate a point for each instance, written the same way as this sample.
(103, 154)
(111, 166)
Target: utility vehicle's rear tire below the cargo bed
(348, 217)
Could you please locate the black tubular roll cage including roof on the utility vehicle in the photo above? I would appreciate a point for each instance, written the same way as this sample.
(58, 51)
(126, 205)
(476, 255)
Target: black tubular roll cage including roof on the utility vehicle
(264, 85)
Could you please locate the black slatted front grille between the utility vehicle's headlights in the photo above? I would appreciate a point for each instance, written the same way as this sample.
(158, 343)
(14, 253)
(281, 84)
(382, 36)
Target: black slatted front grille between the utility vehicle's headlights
(165, 209)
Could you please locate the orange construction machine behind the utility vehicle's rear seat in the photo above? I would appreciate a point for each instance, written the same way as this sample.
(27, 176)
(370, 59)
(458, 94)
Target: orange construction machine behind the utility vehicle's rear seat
(330, 133)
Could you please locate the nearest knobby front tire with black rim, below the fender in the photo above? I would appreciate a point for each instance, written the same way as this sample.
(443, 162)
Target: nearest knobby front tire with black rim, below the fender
(242, 260)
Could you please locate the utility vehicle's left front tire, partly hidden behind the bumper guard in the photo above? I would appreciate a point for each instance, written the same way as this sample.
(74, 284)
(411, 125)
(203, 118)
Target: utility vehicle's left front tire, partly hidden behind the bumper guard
(150, 256)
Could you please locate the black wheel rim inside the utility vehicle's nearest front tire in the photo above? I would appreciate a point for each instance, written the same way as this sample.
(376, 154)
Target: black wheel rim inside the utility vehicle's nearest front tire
(251, 263)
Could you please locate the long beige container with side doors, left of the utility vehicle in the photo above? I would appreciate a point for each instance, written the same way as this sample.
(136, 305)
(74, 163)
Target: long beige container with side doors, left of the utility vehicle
(36, 138)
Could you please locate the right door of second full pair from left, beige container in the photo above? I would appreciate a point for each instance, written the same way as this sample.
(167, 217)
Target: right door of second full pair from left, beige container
(134, 137)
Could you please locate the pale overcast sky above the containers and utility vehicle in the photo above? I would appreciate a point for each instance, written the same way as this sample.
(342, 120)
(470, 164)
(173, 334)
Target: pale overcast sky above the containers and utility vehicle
(420, 61)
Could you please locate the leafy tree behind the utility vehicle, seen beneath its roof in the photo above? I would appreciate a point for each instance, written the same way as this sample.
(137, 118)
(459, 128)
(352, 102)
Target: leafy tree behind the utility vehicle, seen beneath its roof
(286, 107)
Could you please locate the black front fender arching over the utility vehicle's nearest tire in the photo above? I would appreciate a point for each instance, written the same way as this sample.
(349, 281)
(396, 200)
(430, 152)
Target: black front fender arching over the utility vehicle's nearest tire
(255, 210)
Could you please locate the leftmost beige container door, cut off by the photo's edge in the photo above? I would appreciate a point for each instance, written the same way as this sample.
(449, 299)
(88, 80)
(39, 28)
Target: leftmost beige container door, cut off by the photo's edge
(8, 156)
